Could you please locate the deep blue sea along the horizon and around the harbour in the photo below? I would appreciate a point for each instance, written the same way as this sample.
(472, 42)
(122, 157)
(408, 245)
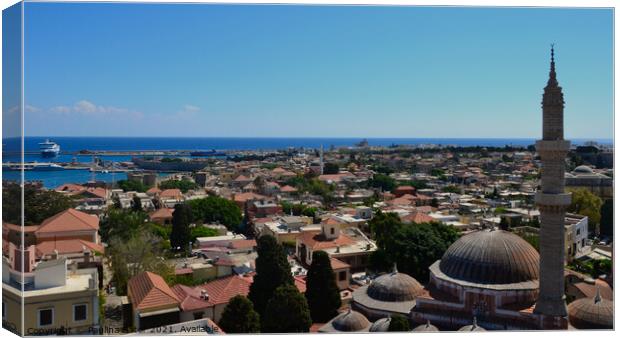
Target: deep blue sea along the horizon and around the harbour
(51, 179)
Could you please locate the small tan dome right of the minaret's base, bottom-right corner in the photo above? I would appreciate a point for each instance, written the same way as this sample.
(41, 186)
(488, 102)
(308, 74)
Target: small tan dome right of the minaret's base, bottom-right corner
(588, 313)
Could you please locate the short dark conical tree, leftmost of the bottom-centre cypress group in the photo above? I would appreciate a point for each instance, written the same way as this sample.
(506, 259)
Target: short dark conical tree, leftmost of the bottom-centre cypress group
(239, 316)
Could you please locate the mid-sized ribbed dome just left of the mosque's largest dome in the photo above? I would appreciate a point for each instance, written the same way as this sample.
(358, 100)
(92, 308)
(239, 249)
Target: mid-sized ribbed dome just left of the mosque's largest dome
(394, 287)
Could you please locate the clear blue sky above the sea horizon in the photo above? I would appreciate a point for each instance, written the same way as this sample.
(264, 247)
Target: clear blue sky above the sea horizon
(310, 71)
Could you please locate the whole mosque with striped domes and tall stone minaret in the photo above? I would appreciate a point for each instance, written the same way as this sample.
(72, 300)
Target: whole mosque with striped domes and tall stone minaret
(492, 279)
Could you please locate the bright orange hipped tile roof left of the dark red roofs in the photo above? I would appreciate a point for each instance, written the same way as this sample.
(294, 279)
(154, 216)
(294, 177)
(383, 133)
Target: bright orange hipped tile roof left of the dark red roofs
(149, 290)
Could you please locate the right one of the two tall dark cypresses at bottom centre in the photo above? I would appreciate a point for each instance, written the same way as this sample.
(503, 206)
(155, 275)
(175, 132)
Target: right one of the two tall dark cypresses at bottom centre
(322, 291)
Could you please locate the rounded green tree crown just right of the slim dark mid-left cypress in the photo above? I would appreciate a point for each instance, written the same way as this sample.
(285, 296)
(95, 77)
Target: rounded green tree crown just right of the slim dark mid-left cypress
(215, 209)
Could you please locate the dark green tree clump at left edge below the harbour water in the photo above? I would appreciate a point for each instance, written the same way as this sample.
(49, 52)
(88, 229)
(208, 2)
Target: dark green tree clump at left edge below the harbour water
(38, 205)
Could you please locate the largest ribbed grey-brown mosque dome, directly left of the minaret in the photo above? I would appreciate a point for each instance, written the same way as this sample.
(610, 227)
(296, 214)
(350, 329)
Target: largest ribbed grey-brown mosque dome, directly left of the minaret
(491, 257)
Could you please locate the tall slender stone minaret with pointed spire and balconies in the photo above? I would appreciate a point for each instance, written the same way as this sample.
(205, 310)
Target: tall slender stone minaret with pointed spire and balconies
(552, 202)
